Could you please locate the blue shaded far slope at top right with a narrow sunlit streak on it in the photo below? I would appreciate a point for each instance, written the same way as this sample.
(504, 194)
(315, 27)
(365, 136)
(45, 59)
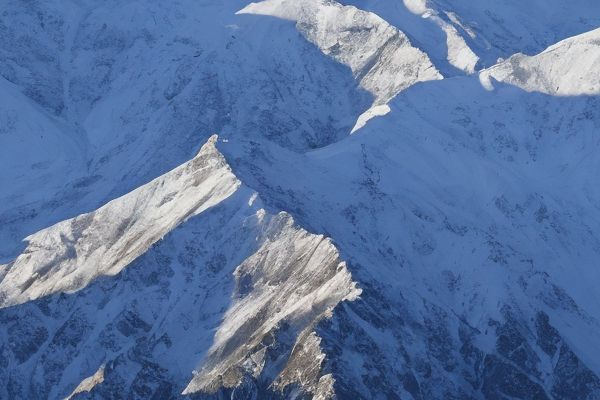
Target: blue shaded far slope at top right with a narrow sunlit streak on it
(460, 35)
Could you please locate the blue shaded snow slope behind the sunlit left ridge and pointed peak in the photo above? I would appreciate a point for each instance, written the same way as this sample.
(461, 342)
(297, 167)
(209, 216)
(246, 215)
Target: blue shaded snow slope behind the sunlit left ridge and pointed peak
(113, 93)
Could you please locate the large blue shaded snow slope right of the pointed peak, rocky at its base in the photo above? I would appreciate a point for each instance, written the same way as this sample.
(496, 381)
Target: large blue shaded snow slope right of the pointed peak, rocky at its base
(469, 218)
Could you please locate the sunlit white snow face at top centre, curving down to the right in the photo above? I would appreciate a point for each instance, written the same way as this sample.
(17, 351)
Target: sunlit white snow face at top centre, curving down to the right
(381, 57)
